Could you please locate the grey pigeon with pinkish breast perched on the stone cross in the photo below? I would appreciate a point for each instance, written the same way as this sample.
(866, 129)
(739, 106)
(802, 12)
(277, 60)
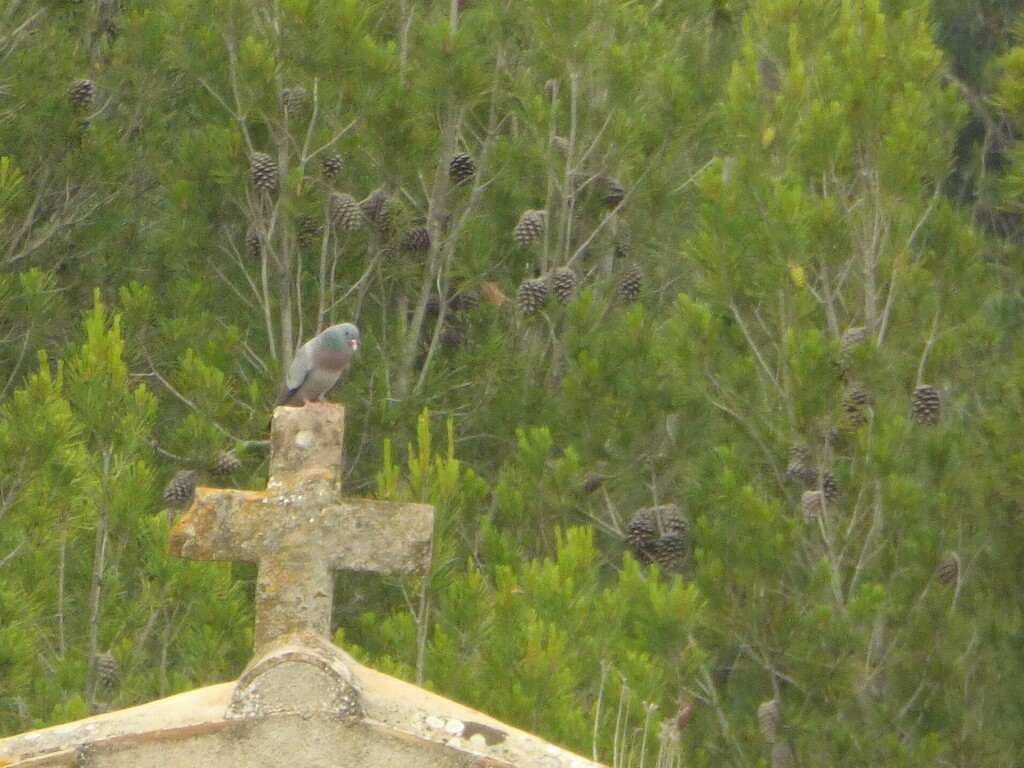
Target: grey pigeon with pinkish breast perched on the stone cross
(320, 365)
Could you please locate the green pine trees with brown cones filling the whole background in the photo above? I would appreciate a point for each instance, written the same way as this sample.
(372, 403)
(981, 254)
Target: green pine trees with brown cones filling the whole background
(772, 277)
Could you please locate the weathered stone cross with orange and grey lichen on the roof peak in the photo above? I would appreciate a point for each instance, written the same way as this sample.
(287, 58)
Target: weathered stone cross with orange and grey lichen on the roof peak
(300, 532)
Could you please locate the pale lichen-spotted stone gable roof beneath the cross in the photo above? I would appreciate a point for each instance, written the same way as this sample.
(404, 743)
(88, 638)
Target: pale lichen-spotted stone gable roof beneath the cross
(400, 724)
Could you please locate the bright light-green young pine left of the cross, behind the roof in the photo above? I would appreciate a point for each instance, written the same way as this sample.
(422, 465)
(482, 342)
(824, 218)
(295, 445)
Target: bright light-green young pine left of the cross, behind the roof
(89, 570)
